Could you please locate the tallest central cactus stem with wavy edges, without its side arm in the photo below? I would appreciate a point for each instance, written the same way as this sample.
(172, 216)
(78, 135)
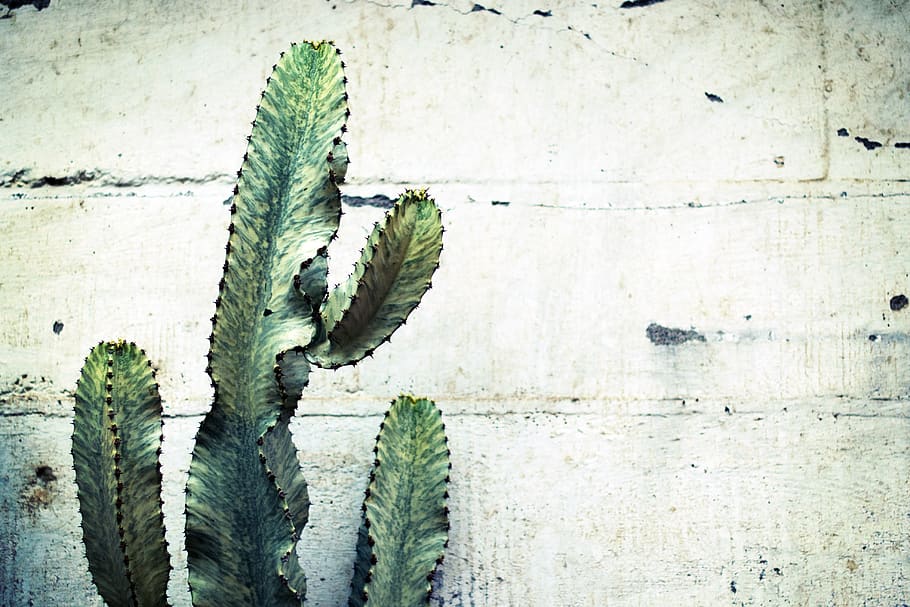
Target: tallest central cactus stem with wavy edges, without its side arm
(246, 498)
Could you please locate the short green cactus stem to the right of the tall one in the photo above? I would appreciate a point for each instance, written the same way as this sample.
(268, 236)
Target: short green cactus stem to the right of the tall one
(406, 525)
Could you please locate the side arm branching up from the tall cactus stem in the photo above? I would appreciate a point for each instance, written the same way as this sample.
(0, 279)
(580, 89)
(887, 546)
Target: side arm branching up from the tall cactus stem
(388, 282)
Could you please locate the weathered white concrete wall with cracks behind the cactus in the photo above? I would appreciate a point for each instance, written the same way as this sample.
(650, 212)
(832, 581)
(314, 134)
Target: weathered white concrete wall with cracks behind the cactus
(663, 332)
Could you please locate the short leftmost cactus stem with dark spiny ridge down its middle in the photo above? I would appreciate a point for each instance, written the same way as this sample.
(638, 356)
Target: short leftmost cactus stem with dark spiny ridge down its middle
(116, 443)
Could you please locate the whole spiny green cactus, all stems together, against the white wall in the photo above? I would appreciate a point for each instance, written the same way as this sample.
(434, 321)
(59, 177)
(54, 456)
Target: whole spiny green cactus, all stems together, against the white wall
(246, 498)
